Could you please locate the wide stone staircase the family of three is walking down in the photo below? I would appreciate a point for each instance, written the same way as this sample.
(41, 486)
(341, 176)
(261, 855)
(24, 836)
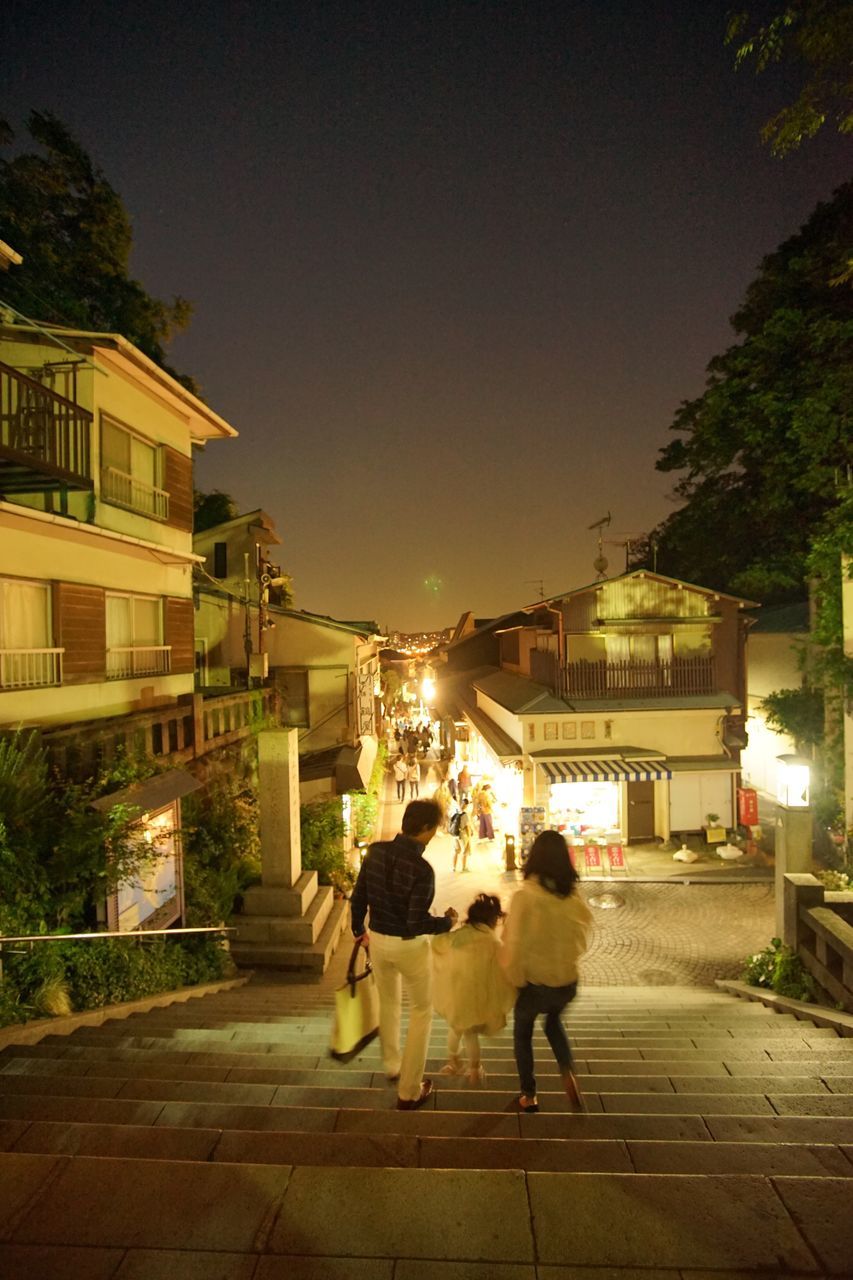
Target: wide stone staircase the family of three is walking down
(217, 1140)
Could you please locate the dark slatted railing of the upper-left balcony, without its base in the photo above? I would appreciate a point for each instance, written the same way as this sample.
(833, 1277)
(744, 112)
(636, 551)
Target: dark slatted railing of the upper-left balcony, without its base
(38, 427)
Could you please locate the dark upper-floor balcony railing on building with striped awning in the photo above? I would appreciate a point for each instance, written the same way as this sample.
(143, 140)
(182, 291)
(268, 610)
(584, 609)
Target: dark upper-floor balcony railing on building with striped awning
(663, 679)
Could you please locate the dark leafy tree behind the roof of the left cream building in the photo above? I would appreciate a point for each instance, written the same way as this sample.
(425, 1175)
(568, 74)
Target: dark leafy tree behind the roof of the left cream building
(62, 216)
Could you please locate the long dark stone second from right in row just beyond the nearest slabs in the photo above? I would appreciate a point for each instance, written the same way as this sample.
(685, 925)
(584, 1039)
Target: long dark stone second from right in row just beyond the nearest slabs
(544, 1155)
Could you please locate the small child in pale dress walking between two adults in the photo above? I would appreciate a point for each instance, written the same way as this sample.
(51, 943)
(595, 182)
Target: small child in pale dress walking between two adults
(471, 990)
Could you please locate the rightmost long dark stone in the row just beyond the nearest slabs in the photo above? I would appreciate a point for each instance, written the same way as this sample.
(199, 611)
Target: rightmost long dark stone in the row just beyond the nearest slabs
(738, 1158)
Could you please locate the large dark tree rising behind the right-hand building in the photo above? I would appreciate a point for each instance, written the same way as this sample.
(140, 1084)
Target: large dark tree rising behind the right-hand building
(763, 450)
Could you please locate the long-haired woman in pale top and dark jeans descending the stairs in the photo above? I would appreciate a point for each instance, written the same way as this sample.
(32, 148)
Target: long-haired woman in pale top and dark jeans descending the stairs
(546, 935)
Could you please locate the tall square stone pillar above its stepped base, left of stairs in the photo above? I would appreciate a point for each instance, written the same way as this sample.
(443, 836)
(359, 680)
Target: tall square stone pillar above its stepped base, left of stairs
(279, 784)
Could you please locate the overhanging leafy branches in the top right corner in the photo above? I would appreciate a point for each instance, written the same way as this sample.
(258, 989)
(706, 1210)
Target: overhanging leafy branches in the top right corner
(816, 36)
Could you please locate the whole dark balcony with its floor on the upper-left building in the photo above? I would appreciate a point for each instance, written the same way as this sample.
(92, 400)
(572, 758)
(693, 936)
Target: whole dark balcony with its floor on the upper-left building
(44, 438)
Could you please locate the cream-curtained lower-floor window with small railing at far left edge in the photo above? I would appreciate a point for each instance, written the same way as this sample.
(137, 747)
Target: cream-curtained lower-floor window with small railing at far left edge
(28, 660)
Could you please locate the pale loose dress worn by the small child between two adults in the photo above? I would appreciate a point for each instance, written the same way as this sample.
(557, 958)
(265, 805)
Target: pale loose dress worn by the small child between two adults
(471, 990)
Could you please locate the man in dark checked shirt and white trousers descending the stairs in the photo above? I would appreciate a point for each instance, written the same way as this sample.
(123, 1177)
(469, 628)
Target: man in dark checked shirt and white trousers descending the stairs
(398, 885)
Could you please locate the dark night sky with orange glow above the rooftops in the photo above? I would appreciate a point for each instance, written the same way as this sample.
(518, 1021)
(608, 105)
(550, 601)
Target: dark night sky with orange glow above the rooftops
(455, 266)
